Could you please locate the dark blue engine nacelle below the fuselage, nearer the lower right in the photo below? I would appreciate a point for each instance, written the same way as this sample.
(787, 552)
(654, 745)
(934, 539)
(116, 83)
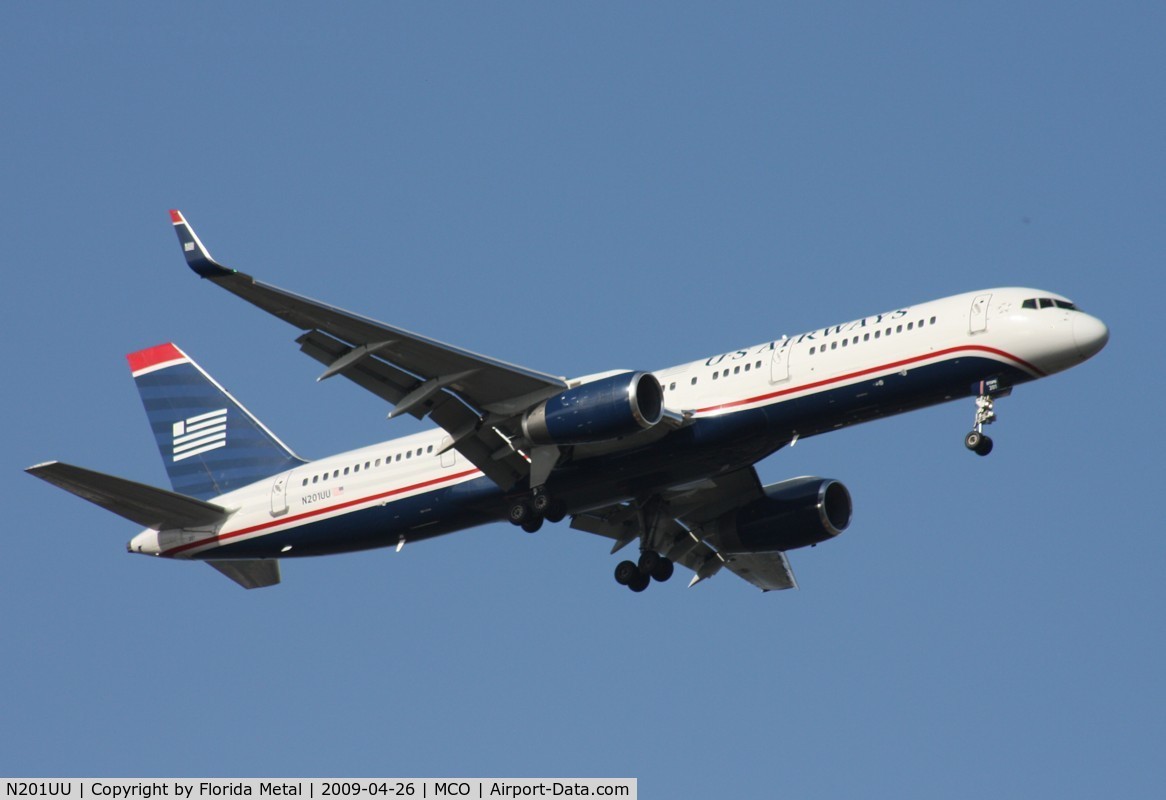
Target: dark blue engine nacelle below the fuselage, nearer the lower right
(793, 514)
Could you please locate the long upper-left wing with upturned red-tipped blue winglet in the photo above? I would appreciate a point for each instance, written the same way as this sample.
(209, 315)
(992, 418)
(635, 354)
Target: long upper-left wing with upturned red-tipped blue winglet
(468, 395)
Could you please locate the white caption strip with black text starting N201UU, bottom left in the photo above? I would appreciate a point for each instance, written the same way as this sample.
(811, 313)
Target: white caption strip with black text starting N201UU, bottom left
(315, 789)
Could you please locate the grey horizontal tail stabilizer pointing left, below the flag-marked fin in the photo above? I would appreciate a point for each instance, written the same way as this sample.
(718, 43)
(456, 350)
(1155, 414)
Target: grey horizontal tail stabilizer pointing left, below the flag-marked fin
(150, 507)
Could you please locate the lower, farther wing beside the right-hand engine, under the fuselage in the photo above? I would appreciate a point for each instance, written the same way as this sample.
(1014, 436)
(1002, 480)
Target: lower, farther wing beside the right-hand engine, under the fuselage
(685, 529)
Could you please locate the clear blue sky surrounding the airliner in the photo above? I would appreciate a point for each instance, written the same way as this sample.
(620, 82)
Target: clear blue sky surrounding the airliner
(574, 188)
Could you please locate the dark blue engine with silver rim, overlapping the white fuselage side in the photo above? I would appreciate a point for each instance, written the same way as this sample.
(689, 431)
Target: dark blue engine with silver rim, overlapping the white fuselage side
(596, 412)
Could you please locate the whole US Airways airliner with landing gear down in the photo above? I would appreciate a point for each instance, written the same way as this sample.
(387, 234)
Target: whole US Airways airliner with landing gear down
(665, 459)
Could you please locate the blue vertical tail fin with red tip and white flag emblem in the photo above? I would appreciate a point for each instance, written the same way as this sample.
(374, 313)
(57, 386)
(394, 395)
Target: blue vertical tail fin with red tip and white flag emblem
(209, 443)
